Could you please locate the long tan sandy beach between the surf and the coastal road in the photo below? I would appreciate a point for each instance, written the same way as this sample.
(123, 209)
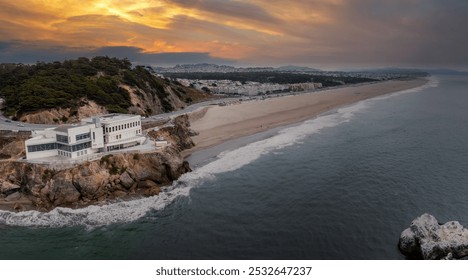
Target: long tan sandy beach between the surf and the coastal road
(216, 124)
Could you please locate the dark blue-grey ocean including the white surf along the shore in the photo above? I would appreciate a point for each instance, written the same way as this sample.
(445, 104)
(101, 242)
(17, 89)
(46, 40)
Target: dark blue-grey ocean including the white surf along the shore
(340, 186)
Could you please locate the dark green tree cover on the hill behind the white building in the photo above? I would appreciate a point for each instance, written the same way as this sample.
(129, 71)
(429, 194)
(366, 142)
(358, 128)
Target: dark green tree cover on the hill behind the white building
(44, 86)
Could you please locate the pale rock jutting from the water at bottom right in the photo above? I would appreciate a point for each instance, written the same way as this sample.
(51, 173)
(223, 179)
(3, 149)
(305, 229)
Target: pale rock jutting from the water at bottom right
(429, 240)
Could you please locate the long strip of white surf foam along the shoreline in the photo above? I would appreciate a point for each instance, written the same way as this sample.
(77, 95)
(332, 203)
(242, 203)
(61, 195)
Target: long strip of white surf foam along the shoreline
(128, 211)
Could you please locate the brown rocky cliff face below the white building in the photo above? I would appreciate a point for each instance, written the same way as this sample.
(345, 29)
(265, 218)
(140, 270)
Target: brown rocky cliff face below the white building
(119, 176)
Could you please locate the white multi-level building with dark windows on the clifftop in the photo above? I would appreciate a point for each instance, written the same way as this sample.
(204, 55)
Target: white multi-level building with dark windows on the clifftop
(94, 135)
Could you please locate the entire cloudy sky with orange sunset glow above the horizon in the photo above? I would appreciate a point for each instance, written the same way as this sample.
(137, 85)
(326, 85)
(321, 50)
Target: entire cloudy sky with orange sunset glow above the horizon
(316, 33)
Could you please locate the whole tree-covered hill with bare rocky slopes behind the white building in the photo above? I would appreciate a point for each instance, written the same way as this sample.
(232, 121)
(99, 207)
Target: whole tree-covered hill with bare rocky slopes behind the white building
(66, 91)
